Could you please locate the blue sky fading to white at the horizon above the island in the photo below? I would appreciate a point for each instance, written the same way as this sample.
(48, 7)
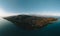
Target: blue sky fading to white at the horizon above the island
(44, 7)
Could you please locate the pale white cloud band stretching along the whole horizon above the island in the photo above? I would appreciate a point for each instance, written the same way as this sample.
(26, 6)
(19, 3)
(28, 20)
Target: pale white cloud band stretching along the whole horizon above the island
(4, 13)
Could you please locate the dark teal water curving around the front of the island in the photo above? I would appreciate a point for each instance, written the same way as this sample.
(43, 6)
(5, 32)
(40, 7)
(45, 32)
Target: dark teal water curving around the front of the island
(9, 29)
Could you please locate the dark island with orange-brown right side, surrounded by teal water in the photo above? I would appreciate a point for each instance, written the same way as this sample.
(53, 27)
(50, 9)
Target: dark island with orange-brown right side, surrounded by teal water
(30, 22)
